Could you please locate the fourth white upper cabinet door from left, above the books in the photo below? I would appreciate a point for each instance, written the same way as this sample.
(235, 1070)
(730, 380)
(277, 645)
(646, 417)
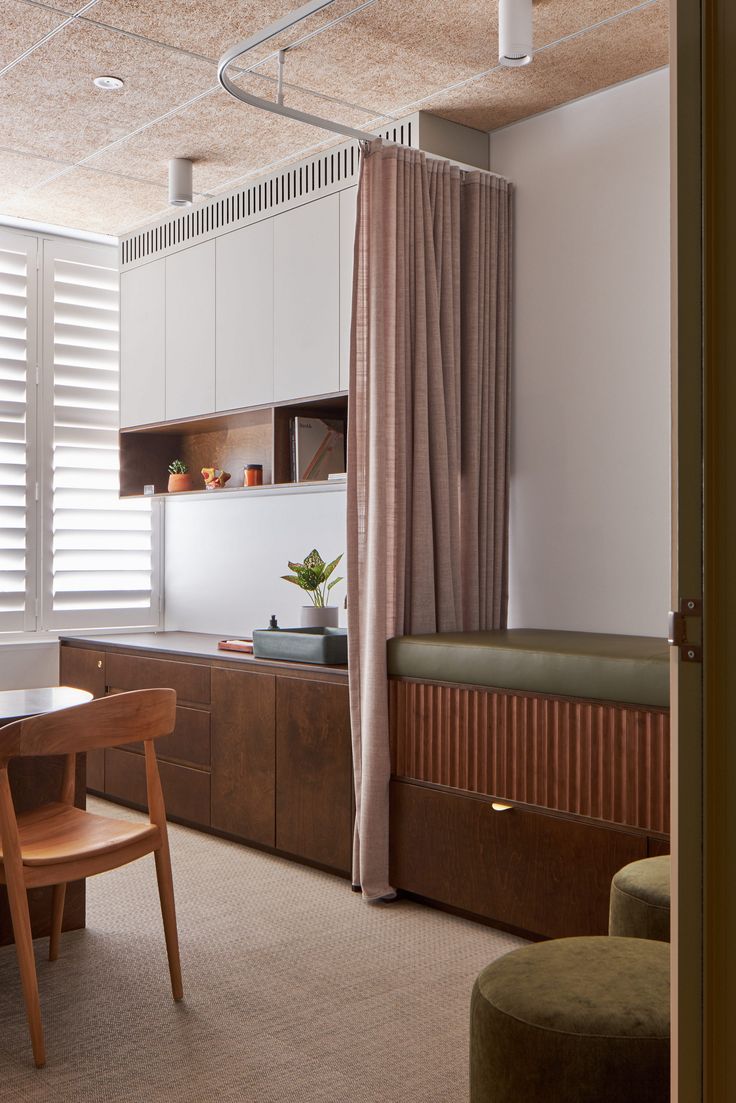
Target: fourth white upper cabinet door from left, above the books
(307, 301)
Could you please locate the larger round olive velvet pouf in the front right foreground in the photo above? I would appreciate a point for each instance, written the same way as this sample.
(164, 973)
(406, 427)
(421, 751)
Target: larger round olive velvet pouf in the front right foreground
(574, 1021)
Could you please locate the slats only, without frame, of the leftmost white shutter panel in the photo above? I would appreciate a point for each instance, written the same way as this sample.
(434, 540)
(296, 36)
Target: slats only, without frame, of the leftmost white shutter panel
(14, 435)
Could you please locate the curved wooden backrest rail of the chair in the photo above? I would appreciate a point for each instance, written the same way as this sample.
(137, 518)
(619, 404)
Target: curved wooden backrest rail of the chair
(110, 722)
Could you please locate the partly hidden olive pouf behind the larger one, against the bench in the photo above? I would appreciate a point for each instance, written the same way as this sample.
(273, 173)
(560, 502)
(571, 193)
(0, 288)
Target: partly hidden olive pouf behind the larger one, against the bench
(641, 901)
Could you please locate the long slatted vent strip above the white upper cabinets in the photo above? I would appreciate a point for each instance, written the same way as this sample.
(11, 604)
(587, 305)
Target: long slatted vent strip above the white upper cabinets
(318, 176)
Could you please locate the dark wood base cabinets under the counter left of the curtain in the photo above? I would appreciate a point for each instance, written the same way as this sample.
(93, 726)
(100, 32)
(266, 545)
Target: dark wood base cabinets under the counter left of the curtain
(261, 752)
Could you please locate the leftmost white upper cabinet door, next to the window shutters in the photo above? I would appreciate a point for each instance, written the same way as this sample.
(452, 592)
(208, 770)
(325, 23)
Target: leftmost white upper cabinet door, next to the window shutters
(143, 345)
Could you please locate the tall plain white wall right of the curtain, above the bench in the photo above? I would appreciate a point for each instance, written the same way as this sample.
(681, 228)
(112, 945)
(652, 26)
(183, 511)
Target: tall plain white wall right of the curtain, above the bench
(591, 388)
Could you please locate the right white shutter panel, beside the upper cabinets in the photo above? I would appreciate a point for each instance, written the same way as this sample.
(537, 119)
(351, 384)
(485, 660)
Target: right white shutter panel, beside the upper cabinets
(101, 566)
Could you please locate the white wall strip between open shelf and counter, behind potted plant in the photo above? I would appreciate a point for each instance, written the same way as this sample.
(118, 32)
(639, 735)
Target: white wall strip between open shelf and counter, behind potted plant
(225, 558)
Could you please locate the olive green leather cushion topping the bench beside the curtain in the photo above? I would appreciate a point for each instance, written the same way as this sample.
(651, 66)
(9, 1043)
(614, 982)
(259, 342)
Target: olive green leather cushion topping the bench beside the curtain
(632, 669)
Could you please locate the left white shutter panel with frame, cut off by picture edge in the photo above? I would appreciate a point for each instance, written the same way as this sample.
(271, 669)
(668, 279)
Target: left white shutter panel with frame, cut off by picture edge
(18, 349)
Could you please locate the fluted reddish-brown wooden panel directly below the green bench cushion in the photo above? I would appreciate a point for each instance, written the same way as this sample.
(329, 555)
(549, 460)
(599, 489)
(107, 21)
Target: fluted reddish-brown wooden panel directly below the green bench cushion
(591, 758)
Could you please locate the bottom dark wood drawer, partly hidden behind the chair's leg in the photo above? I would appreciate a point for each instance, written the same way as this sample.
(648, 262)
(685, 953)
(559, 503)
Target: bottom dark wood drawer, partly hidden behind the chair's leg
(186, 791)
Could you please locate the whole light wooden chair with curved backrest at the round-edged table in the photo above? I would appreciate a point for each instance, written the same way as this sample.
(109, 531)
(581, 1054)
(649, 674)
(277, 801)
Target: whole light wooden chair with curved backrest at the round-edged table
(59, 843)
